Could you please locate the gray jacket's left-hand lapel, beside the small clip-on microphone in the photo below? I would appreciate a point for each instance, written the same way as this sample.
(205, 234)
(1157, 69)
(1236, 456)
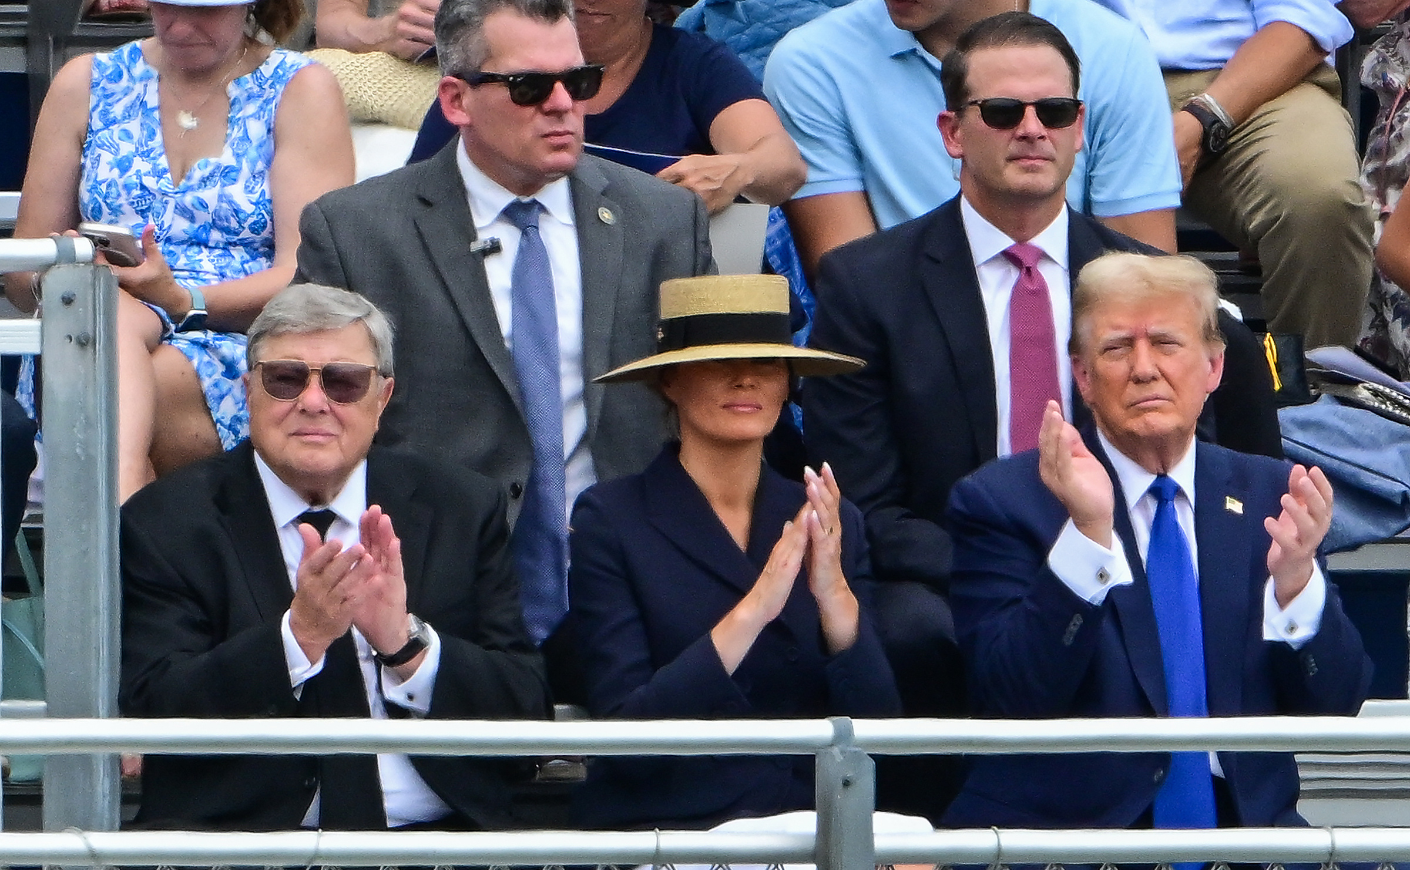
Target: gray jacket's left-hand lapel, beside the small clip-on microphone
(448, 231)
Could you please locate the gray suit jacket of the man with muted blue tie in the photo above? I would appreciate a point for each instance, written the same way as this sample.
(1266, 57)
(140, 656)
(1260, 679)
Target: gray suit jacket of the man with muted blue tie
(404, 240)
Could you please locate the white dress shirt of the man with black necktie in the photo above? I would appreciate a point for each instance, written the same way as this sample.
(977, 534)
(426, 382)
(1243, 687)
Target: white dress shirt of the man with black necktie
(405, 796)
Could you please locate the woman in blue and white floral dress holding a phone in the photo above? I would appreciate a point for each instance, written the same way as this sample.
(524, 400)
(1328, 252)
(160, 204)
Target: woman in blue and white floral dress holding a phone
(207, 145)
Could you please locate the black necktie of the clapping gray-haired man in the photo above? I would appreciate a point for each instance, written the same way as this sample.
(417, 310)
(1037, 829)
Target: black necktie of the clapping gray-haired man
(350, 789)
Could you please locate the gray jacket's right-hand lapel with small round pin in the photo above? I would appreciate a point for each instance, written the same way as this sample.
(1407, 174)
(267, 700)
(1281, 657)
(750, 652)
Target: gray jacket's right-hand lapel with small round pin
(600, 252)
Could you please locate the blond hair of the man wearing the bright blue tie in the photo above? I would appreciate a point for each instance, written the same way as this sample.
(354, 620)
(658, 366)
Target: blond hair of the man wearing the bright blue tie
(1139, 277)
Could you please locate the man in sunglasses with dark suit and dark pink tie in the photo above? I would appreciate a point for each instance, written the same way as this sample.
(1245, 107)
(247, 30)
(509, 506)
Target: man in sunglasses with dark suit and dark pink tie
(926, 305)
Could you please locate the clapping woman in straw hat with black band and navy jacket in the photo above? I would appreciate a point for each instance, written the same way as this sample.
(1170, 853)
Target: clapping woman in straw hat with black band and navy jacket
(709, 586)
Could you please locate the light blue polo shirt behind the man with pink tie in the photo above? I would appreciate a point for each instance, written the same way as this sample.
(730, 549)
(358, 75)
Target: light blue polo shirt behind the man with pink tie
(861, 98)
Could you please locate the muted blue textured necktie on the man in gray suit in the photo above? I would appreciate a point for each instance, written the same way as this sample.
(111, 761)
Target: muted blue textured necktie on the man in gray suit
(541, 539)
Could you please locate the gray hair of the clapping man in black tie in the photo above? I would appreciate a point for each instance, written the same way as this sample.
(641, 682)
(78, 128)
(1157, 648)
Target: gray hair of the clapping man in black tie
(314, 308)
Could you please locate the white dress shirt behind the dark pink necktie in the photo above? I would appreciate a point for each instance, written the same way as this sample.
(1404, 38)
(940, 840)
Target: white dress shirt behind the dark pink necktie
(996, 284)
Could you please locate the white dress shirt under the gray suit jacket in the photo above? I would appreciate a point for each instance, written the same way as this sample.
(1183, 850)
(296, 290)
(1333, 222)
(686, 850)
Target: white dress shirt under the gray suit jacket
(559, 231)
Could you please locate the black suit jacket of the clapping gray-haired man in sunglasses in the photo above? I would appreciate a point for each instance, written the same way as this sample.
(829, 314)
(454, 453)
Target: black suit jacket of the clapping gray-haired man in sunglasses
(205, 590)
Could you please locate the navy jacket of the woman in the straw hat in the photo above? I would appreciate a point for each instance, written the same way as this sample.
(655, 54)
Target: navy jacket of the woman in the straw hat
(654, 572)
